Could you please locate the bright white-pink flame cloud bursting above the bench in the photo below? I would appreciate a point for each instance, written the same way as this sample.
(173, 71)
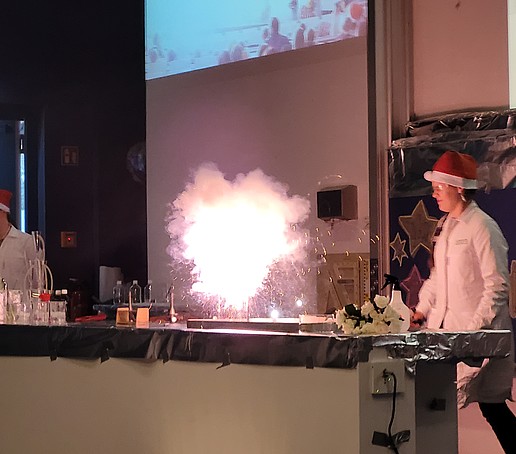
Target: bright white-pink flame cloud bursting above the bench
(233, 232)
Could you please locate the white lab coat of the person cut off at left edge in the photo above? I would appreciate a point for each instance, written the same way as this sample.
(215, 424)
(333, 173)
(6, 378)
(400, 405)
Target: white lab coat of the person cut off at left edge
(15, 252)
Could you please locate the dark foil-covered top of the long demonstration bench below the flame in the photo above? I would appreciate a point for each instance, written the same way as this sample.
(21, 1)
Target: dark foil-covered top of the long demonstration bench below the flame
(166, 342)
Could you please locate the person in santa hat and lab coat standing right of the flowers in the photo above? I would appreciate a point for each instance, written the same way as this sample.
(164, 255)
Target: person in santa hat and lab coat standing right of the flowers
(468, 288)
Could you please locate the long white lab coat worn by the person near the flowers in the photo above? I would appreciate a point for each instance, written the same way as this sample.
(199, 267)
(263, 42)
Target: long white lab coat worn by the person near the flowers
(468, 290)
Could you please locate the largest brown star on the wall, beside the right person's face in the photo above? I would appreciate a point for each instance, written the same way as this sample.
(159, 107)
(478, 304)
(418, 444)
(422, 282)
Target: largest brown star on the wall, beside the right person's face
(420, 228)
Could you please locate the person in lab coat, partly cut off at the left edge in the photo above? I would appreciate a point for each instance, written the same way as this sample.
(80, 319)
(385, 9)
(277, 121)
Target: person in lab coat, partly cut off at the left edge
(16, 248)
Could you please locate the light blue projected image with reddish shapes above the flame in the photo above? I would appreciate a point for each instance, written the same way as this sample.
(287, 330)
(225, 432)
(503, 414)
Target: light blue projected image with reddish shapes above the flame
(188, 36)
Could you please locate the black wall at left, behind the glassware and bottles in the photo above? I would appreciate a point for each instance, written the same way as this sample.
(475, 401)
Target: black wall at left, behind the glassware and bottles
(77, 68)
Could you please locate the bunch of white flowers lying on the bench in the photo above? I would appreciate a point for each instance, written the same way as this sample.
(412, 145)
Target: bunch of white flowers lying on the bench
(377, 317)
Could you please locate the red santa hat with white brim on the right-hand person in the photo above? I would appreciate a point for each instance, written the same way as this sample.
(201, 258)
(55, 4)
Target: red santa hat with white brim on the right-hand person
(455, 169)
